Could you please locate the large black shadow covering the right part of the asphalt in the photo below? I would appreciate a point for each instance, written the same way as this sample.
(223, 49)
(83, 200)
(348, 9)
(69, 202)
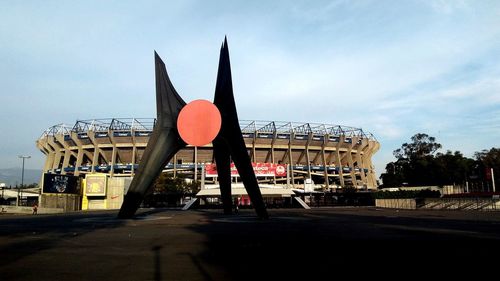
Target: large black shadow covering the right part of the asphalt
(320, 245)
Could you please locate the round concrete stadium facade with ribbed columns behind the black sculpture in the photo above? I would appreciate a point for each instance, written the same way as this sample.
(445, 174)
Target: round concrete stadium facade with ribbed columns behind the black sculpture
(332, 156)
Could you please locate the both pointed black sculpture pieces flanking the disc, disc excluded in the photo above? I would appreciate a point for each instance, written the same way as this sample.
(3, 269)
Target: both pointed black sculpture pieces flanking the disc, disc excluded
(165, 142)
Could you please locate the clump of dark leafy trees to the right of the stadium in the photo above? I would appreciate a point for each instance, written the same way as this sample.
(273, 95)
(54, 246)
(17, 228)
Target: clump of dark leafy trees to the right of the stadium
(418, 164)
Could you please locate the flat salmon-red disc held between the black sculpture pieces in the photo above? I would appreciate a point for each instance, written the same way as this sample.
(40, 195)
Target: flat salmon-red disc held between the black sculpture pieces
(199, 122)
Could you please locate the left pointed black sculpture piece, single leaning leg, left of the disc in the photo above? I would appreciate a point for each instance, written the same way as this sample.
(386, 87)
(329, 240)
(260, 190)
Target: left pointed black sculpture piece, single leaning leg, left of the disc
(162, 145)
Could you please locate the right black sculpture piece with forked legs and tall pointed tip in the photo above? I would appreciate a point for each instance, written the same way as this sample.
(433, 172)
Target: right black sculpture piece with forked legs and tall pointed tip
(229, 144)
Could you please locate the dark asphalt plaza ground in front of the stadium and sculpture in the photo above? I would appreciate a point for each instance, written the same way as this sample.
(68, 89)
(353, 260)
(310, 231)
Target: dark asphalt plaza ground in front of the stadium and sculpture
(294, 244)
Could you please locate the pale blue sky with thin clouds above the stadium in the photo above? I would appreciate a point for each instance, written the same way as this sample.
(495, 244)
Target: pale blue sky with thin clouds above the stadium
(392, 68)
